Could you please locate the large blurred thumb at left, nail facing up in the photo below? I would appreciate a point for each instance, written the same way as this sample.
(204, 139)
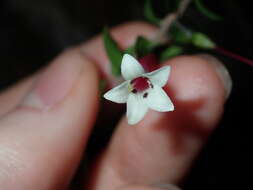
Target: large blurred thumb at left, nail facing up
(42, 139)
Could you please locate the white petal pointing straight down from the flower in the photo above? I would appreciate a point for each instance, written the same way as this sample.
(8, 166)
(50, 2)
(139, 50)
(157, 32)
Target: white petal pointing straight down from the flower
(136, 108)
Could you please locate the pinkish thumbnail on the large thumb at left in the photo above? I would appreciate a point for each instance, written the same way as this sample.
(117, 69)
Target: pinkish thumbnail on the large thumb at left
(54, 83)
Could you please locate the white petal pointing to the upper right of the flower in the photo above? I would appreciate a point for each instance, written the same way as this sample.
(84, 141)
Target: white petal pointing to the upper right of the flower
(160, 76)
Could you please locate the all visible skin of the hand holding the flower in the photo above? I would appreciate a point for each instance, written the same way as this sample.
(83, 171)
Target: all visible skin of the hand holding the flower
(42, 141)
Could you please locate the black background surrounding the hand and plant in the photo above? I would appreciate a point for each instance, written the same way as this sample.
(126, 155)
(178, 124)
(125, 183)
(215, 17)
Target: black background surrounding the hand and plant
(32, 32)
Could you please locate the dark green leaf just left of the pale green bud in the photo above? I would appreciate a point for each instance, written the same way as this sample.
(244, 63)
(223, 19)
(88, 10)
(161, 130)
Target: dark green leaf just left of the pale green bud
(180, 35)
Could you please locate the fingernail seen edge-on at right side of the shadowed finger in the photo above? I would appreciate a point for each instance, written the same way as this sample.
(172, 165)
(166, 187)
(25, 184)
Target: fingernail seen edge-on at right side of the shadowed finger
(221, 71)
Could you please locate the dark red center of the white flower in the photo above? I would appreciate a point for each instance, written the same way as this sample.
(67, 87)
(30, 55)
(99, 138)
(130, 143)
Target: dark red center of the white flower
(140, 84)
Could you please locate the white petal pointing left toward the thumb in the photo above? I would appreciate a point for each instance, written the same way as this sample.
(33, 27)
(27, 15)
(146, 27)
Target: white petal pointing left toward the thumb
(118, 94)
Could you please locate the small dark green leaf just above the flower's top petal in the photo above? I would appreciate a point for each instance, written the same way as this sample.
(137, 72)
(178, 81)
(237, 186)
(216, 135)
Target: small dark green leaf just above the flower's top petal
(143, 46)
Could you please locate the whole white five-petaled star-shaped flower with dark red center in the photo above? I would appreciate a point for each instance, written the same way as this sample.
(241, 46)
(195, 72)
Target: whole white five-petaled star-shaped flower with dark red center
(141, 90)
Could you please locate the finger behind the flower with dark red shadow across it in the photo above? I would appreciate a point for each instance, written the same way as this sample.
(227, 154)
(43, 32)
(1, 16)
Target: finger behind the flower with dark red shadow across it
(163, 145)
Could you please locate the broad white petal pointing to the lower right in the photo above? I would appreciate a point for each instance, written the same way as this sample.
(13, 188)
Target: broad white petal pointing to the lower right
(158, 100)
